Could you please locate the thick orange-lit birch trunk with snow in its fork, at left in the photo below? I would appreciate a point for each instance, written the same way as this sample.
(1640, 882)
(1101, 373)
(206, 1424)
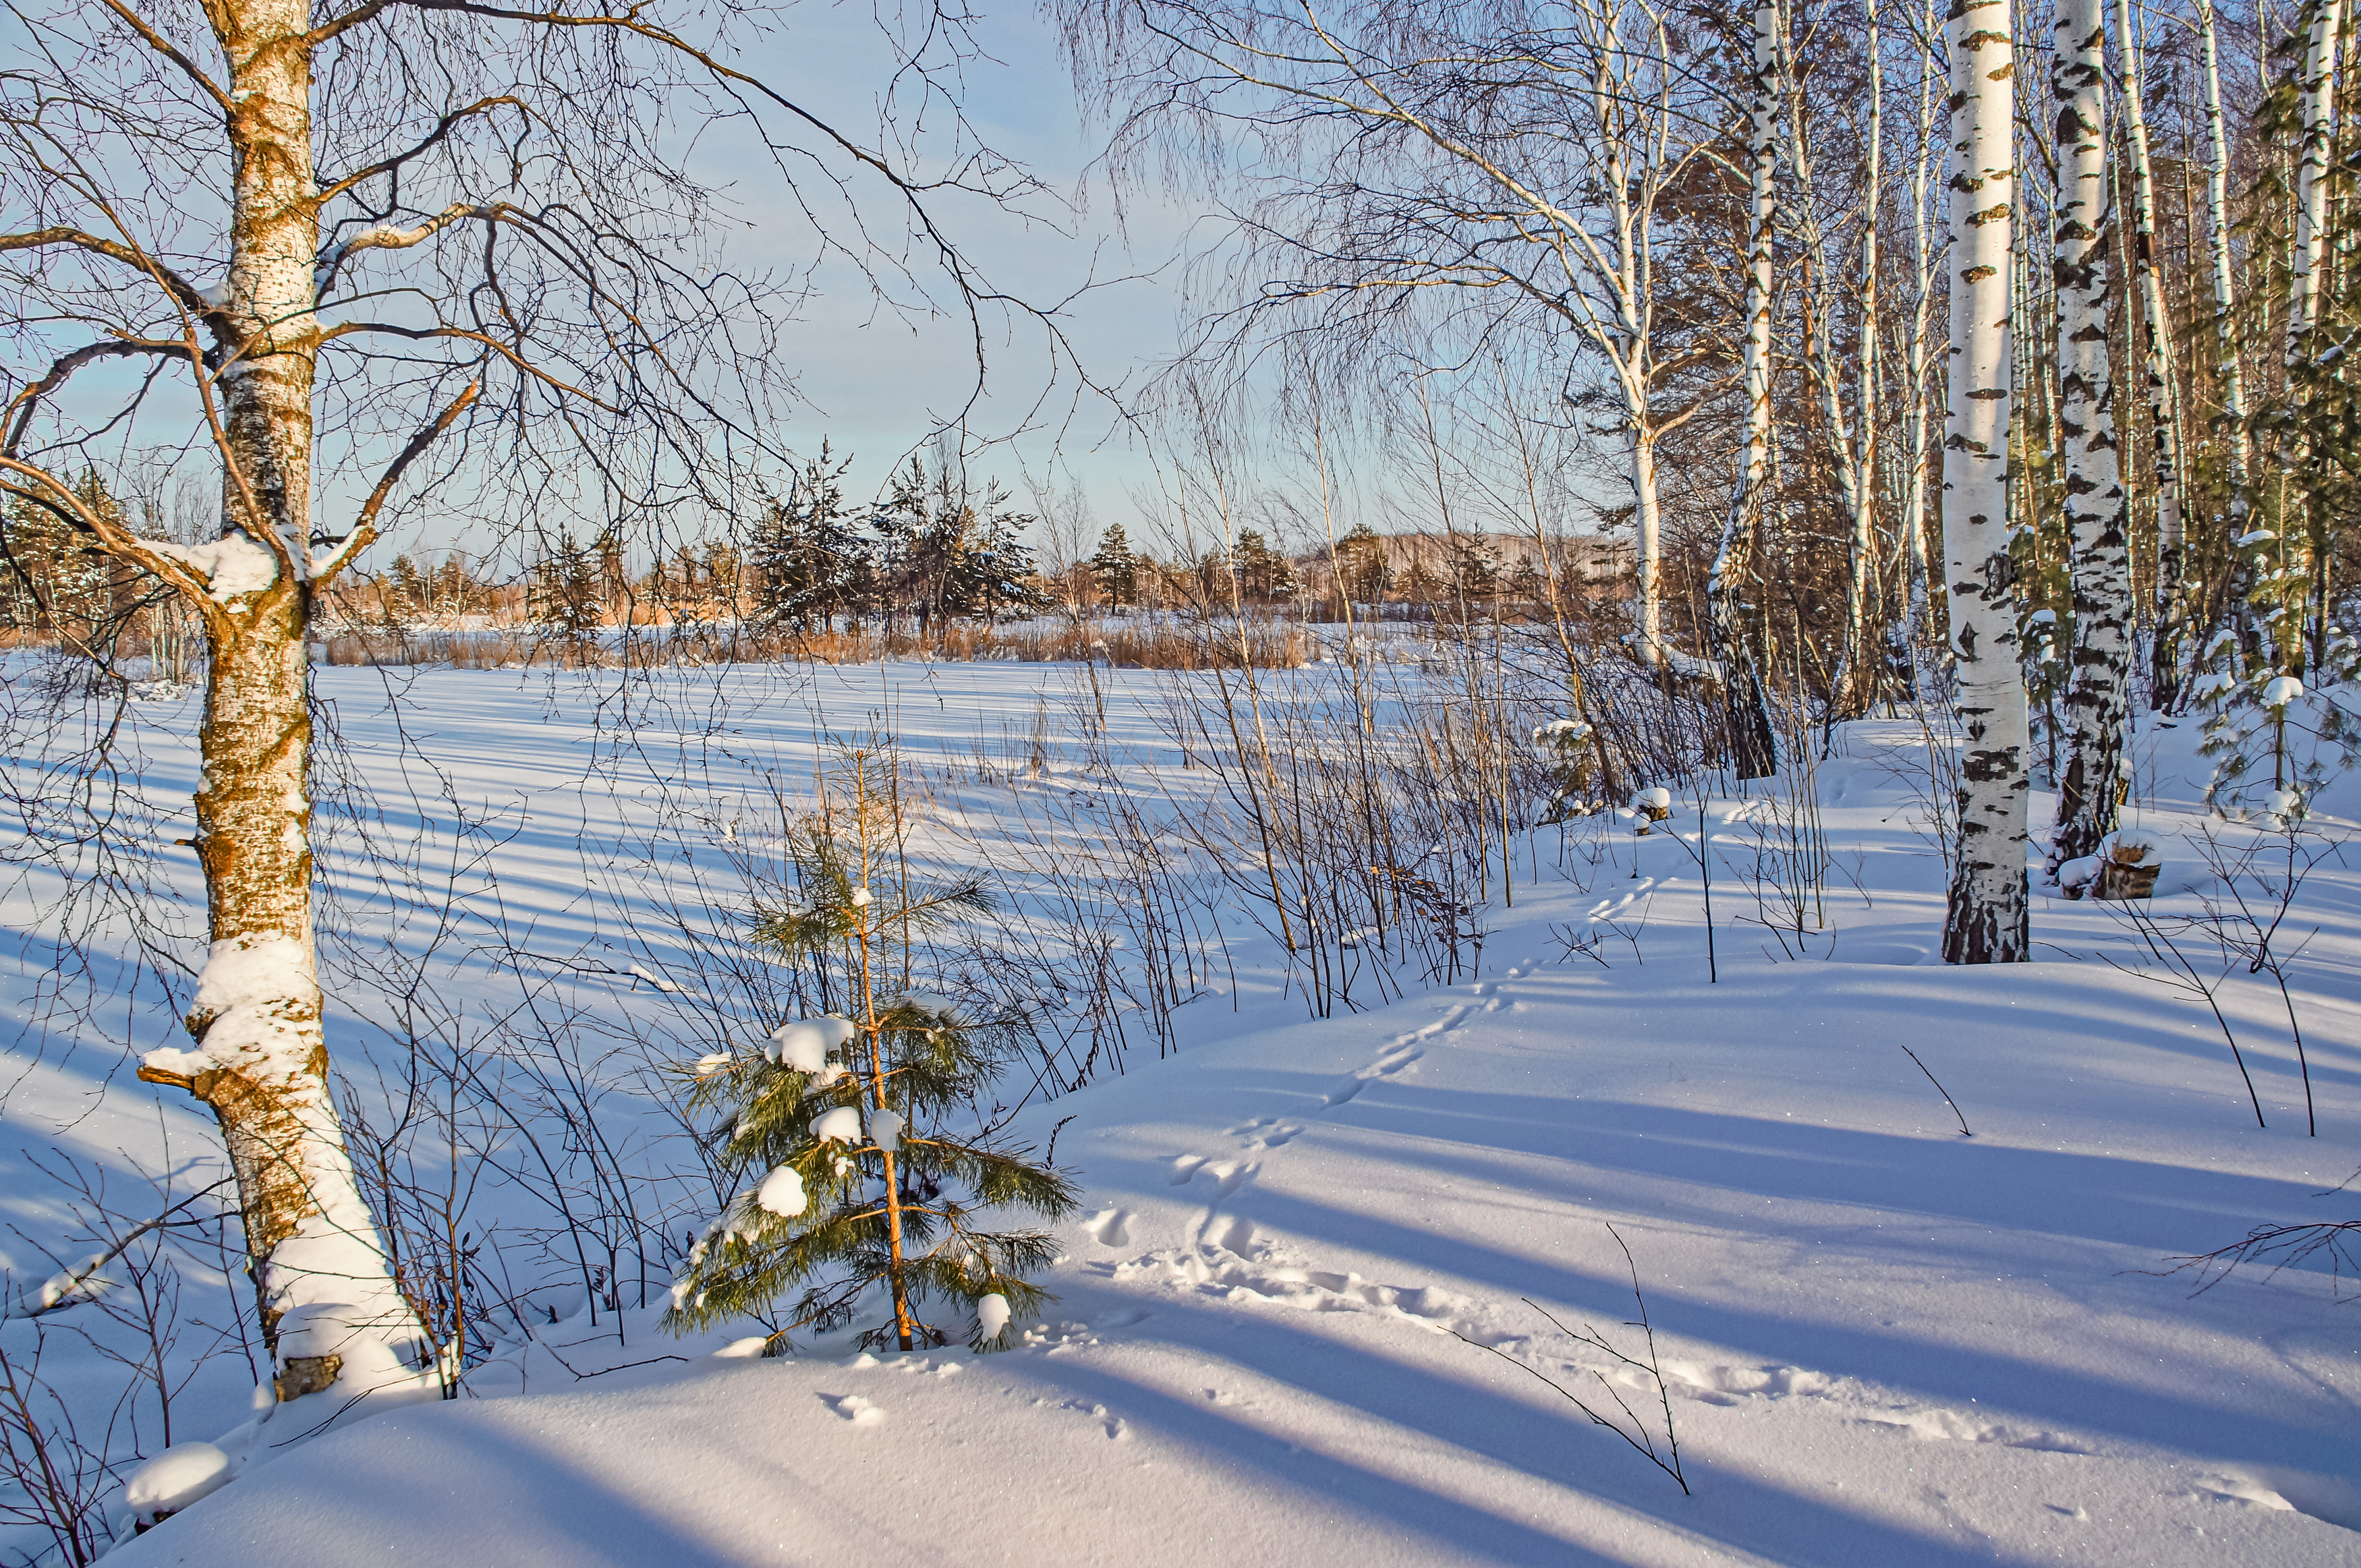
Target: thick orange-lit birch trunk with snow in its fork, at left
(329, 1307)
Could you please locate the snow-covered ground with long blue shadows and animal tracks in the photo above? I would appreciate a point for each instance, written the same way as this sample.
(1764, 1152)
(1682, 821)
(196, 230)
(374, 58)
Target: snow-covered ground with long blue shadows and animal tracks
(1328, 1269)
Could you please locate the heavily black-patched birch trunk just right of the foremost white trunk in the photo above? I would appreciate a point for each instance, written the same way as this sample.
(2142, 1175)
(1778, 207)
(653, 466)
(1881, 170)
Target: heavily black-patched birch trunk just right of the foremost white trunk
(2098, 698)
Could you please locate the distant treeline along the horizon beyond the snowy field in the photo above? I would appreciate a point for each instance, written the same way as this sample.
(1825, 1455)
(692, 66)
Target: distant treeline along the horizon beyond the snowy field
(934, 556)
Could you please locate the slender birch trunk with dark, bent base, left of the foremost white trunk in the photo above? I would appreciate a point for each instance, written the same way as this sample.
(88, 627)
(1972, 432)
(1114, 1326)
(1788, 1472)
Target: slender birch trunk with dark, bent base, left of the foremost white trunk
(1746, 714)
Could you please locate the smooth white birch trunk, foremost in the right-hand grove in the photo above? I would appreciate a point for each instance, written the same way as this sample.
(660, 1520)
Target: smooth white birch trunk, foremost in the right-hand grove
(1989, 917)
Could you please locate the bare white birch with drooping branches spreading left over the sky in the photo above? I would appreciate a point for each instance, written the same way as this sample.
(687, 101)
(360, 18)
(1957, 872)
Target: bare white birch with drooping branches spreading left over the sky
(1437, 174)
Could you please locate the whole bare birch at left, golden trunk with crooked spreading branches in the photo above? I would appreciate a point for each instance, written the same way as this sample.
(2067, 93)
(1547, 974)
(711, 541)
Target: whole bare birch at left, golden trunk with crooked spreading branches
(358, 259)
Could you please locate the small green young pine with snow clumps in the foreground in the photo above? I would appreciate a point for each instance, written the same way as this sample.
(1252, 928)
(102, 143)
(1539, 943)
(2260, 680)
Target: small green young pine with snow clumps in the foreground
(849, 1130)
